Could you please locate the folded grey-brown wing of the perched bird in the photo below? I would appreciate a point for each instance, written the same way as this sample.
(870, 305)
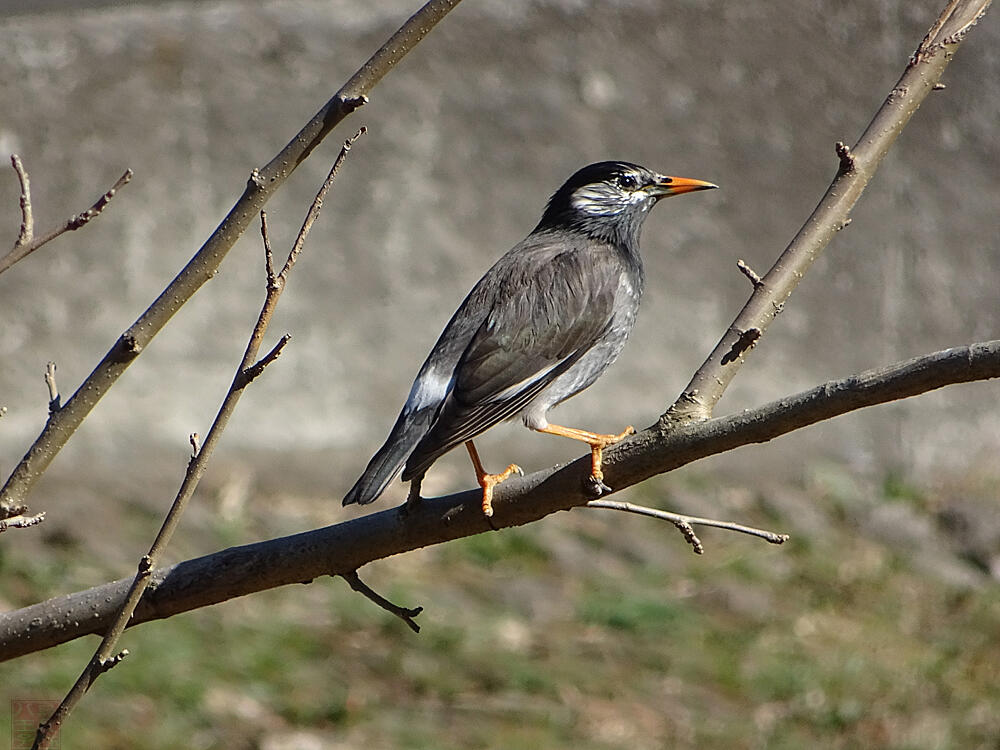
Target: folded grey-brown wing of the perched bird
(539, 316)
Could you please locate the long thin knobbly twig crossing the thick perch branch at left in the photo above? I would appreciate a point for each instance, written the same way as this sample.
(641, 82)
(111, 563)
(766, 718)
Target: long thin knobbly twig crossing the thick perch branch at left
(248, 369)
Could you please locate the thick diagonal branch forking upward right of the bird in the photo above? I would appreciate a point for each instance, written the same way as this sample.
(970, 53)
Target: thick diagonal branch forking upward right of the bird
(857, 166)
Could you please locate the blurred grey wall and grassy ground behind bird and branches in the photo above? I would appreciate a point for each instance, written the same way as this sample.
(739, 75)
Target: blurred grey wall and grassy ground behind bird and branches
(875, 626)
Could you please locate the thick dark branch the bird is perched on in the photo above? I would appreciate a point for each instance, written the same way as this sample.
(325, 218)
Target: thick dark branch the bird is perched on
(345, 547)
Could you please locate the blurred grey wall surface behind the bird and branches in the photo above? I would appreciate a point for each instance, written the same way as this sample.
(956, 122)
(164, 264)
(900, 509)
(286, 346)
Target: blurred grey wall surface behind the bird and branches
(467, 140)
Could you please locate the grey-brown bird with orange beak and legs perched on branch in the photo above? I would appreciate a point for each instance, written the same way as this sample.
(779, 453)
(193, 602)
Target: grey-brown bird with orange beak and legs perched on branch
(541, 325)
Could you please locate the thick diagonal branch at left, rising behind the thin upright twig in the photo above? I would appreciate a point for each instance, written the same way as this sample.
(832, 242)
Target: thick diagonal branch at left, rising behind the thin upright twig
(262, 185)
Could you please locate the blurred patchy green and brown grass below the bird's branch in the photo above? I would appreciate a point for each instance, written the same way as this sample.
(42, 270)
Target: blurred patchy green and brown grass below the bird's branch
(587, 630)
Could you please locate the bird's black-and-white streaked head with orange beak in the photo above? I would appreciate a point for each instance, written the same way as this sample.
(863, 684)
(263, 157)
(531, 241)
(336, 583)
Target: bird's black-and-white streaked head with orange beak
(610, 199)
